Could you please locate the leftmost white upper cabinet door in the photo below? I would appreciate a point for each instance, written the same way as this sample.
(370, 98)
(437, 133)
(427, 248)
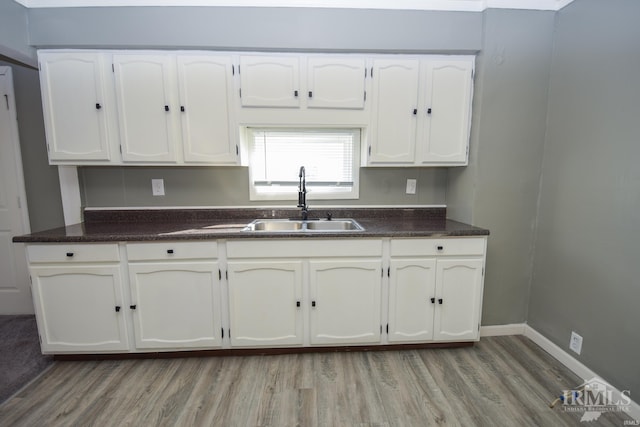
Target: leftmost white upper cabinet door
(76, 107)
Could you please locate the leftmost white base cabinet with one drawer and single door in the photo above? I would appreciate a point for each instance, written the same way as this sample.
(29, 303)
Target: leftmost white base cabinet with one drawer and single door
(78, 297)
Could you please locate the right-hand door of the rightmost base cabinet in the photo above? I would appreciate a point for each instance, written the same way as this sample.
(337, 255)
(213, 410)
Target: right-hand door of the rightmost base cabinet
(458, 299)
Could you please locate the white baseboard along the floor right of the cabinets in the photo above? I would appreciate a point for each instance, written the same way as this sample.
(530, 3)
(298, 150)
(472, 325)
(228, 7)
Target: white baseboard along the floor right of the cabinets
(558, 353)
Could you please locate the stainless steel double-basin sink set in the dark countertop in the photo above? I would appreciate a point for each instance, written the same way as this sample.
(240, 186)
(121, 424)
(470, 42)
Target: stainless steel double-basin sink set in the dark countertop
(300, 226)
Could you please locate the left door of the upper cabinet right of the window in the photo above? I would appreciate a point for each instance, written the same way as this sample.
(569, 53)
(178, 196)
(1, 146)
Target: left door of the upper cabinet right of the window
(394, 112)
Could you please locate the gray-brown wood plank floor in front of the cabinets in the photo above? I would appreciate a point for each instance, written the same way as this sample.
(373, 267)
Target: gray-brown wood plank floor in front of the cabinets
(501, 381)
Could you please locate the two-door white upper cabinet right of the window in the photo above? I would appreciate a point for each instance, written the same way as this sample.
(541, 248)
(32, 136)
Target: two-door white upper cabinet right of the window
(421, 111)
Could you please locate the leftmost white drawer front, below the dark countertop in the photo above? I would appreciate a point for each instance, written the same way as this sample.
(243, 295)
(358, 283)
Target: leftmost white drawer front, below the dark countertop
(73, 252)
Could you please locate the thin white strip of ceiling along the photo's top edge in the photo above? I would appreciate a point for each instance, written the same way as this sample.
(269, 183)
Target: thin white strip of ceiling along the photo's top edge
(441, 5)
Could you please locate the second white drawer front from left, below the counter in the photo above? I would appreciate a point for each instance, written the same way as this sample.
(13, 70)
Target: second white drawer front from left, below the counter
(163, 251)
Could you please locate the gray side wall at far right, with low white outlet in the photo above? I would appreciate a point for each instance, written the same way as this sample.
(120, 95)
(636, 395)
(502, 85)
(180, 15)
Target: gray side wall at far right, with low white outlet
(587, 270)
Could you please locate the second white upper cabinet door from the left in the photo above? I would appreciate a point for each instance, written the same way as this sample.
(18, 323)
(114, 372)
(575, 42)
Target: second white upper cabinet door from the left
(145, 92)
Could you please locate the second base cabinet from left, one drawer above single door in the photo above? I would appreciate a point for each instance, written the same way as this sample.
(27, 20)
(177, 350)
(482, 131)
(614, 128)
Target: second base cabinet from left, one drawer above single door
(175, 295)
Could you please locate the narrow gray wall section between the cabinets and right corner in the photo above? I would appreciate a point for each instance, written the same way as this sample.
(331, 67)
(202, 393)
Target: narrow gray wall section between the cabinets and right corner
(499, 188)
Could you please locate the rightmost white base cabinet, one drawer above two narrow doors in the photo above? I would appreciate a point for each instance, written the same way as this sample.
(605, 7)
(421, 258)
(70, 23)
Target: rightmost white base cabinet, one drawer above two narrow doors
(435, 289)
